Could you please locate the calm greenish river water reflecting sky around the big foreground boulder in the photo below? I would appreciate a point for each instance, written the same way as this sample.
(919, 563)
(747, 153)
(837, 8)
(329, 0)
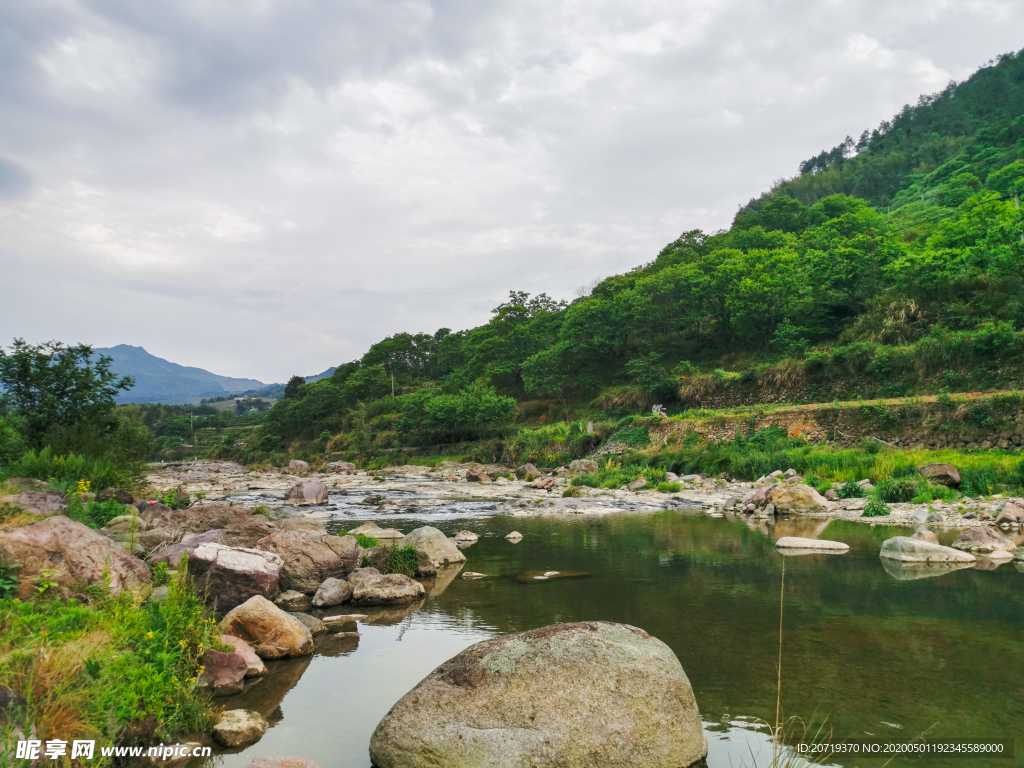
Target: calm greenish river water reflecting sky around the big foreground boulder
(879, 653)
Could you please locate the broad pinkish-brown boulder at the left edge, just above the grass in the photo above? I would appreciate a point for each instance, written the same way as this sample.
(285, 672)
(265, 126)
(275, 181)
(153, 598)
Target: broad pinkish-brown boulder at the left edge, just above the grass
(73, 556)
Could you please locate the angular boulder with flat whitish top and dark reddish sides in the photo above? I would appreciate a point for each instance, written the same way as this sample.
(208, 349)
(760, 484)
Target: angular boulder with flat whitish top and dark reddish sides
(231, 576)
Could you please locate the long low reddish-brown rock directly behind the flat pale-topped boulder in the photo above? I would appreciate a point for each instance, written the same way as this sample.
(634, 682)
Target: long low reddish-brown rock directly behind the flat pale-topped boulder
(238, 526)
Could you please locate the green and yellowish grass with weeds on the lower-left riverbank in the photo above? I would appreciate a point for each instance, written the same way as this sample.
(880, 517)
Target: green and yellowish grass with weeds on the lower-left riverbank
(113, 669)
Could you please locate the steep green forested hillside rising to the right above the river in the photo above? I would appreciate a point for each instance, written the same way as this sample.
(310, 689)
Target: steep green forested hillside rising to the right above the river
(890, 266)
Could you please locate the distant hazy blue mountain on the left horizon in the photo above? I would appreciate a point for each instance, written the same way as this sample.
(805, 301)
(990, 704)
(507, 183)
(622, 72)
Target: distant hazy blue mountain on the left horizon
(158, 380)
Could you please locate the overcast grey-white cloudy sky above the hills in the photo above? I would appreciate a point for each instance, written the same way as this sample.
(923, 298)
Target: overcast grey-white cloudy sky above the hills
(266, 189)
